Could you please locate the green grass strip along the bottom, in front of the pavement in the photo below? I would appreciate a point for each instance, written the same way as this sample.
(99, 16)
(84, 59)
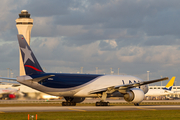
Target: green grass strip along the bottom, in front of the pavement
(98, 115)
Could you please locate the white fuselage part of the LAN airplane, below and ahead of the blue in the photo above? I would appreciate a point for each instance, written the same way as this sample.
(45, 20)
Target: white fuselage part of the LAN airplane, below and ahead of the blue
(85, 89)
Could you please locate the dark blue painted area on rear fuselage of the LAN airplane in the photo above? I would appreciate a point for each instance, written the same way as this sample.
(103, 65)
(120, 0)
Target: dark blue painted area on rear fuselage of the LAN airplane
(61, 80)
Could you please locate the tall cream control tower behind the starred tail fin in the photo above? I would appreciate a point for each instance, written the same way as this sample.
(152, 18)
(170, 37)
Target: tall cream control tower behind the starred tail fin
(24, 25)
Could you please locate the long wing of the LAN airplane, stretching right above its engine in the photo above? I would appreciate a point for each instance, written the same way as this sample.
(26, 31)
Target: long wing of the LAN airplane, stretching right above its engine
(126, 86)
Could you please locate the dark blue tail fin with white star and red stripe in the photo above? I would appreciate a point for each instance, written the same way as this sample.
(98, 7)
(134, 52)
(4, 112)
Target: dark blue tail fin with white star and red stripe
(31, 64)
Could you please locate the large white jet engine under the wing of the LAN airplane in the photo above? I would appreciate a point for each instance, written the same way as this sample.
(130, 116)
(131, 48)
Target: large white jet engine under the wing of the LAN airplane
(135, 95)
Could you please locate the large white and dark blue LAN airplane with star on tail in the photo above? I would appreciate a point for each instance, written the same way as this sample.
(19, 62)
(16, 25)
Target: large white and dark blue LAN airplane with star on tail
(76, 87)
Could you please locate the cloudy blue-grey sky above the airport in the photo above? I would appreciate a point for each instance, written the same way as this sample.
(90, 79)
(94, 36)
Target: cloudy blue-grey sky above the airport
(134, 36)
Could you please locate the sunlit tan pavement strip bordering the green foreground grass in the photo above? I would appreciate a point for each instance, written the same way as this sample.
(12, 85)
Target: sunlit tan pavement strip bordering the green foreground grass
(85, 108)
